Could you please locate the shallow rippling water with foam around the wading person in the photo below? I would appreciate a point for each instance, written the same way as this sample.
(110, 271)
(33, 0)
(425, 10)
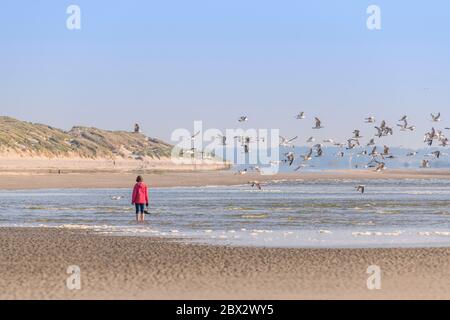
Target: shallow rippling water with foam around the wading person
(284, 214)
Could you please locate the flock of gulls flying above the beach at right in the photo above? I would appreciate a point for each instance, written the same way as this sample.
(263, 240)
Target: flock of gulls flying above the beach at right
(376, 158)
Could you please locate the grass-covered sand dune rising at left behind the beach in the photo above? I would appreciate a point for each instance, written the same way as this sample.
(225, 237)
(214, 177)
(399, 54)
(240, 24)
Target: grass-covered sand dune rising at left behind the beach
(31, 139)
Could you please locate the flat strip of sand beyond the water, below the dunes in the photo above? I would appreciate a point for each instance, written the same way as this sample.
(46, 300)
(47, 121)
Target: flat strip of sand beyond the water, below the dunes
(95, 179)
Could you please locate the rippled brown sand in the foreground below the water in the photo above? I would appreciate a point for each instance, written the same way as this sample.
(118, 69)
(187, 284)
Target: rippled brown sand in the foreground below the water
(34, 262)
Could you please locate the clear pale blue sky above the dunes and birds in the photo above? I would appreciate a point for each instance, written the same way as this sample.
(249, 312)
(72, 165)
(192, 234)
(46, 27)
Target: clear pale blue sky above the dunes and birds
(168, 63)
